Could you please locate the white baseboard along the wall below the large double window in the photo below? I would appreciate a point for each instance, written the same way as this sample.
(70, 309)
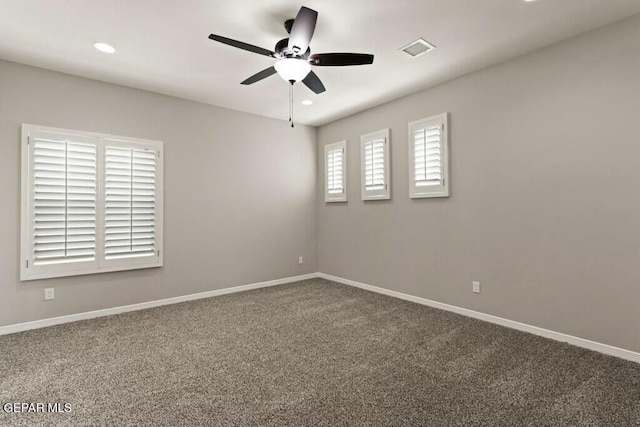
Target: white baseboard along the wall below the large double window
(20, 327)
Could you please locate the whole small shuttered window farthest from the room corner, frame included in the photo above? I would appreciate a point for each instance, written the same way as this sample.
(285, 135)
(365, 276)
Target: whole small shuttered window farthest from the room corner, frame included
(428, 158)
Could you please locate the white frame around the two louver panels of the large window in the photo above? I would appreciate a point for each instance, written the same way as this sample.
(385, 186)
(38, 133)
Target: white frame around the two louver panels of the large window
(29, 271)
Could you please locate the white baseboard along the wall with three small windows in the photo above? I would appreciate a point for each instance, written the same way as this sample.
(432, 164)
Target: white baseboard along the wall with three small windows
(558, 336)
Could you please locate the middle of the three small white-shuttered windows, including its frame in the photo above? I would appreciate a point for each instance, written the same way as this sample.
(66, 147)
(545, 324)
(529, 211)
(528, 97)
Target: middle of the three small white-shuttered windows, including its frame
(375, 169)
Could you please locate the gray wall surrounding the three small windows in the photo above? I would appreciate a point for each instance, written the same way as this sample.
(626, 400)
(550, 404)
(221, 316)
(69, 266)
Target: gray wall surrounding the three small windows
(545, 205)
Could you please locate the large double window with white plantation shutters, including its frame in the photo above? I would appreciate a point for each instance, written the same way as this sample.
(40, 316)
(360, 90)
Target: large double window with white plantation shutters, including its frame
(90, 203)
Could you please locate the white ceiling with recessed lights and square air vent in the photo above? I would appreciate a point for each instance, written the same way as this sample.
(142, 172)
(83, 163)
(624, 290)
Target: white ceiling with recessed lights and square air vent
(162, 45)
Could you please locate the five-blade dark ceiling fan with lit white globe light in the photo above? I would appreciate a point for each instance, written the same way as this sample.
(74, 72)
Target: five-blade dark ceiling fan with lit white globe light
(293, 55)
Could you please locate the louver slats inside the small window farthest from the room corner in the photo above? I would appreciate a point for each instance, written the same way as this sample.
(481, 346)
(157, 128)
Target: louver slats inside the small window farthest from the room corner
(428, 156)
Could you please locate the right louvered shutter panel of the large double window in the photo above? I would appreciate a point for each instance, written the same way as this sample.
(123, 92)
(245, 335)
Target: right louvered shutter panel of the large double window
(130, 202)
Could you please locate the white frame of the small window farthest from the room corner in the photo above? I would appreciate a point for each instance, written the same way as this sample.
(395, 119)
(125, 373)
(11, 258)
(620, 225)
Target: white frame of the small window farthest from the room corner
(430, 191)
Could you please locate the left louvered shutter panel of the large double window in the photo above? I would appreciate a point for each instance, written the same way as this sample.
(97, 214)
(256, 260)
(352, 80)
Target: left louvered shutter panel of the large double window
(64, 201)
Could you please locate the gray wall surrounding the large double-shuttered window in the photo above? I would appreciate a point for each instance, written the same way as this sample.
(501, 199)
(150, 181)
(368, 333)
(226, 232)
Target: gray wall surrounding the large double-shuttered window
(239, 192)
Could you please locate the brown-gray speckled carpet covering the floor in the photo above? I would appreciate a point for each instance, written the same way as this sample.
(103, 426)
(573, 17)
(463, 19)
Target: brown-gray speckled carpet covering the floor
(309, 353)
